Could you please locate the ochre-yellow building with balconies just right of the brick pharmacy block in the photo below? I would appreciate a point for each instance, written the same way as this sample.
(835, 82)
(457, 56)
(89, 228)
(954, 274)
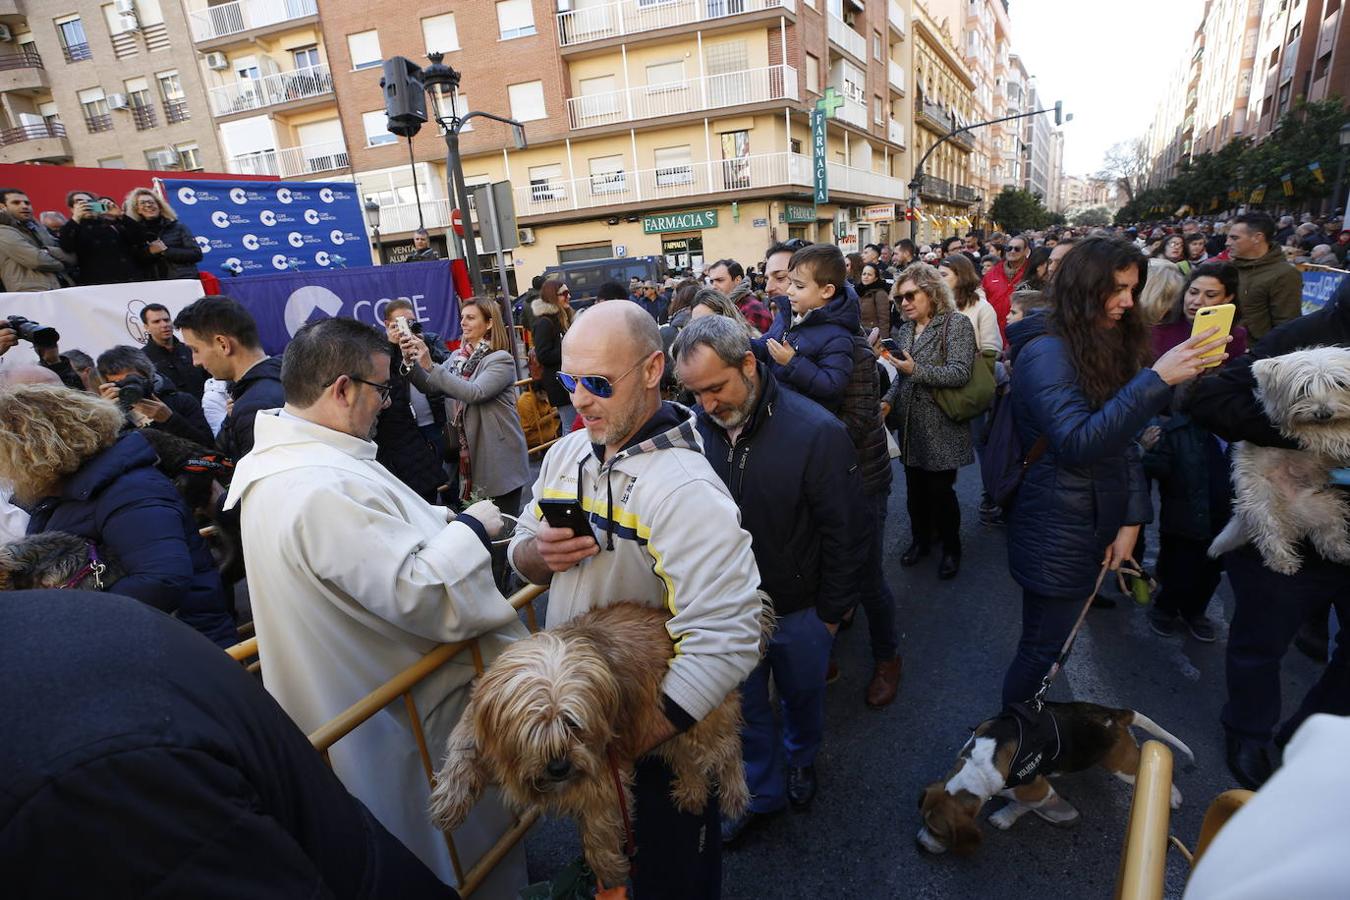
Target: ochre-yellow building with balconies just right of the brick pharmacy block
(944, 98)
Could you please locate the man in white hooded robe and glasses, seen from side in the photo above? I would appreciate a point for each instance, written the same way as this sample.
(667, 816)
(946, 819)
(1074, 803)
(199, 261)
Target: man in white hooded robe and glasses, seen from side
(354, 577)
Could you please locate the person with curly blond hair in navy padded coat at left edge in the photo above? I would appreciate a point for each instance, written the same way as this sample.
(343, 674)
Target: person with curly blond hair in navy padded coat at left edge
(75, 469)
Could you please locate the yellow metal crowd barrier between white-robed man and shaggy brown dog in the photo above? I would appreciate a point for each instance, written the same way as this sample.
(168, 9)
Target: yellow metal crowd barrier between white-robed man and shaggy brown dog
(402, 687)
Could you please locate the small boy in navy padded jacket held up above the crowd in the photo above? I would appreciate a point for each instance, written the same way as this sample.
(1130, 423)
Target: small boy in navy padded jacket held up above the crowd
(816, 353)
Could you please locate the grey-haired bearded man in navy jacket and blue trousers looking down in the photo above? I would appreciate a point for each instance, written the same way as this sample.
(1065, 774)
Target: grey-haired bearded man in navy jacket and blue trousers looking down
(792, 470)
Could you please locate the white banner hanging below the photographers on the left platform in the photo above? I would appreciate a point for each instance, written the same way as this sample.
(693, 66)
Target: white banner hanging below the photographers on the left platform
(97, 318)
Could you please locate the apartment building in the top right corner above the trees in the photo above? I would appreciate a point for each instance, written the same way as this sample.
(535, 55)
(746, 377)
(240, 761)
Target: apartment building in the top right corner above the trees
(1303, 53)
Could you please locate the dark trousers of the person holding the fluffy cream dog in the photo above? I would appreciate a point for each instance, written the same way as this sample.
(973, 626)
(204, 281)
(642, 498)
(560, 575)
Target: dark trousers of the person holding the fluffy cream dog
(1268, 611)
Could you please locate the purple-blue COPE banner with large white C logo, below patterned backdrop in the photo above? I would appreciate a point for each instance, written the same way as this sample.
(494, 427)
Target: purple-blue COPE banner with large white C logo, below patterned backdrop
(281, 304)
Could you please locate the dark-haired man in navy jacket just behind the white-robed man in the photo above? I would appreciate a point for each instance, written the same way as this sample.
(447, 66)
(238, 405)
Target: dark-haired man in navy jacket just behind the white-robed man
(223, 339)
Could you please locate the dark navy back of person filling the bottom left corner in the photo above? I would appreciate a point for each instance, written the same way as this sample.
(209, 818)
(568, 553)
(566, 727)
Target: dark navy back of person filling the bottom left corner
(168, 771)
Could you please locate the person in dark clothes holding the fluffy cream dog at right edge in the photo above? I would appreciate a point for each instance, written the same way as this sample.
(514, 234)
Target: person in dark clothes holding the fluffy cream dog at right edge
(1271, 607)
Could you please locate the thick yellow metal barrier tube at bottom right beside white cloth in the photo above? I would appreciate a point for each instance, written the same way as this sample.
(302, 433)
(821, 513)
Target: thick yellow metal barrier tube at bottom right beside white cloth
(1144, 862)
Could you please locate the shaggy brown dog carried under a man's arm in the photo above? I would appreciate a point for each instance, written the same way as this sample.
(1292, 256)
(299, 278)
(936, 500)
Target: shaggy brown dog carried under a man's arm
(561, 712)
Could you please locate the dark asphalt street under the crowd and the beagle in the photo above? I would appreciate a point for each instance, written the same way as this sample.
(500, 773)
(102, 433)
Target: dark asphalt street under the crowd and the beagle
(956, 640)
